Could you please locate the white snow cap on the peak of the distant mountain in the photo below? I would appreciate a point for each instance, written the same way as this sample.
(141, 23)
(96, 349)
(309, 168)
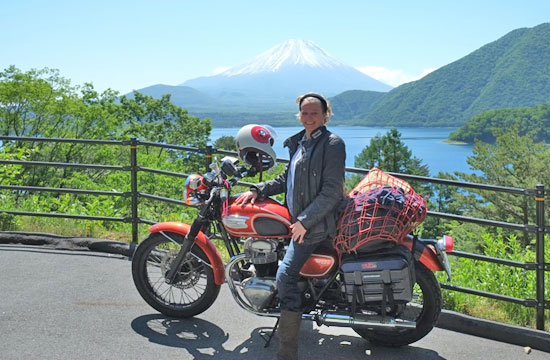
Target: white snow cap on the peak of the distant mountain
(290, 52)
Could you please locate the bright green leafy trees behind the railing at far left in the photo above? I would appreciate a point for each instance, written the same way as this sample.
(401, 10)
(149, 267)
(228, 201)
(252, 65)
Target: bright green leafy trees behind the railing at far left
(42, 104)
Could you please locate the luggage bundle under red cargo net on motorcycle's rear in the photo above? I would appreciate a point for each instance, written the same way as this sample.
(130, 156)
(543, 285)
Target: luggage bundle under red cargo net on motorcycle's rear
(379, 209)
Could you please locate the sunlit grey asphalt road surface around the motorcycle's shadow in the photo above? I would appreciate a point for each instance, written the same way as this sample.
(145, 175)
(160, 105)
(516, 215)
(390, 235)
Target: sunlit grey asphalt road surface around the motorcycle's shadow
(58, 304)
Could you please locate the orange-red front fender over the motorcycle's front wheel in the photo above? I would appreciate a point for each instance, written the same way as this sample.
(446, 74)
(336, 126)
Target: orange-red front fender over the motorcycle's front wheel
(202, 241)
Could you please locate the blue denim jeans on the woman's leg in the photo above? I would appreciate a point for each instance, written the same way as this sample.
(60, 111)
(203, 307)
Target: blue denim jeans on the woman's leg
(288, 275)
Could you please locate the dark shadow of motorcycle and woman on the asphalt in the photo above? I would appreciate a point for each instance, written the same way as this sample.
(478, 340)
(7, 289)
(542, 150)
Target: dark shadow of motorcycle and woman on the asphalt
(205, 340)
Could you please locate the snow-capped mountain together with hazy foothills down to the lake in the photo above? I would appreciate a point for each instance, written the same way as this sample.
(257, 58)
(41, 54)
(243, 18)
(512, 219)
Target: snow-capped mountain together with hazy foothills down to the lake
(267, 86)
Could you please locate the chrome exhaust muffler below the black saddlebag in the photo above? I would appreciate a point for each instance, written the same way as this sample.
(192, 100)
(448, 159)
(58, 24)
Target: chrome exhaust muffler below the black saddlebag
(331, 318)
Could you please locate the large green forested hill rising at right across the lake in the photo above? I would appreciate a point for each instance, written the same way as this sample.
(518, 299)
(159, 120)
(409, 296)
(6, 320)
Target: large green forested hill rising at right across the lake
(513, 71)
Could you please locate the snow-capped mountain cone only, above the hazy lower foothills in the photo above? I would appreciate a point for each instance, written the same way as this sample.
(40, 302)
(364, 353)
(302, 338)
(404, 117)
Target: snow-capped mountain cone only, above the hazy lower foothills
(283, 72)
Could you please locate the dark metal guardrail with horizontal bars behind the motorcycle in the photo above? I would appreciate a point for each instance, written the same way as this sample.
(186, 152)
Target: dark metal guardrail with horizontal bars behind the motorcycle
(540, 266)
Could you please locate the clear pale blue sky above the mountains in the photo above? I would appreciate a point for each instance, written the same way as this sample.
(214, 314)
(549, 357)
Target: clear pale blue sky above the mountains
(126, 45)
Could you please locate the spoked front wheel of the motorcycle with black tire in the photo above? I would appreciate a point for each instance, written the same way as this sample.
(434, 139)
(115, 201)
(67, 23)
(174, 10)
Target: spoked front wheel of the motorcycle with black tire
(193, 290)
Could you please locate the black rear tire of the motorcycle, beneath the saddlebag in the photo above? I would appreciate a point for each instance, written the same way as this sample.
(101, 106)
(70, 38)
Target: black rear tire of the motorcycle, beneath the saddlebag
(425, 319)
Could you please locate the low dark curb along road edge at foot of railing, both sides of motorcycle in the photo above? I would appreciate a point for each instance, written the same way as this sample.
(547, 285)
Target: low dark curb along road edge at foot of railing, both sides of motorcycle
(449, 320)
